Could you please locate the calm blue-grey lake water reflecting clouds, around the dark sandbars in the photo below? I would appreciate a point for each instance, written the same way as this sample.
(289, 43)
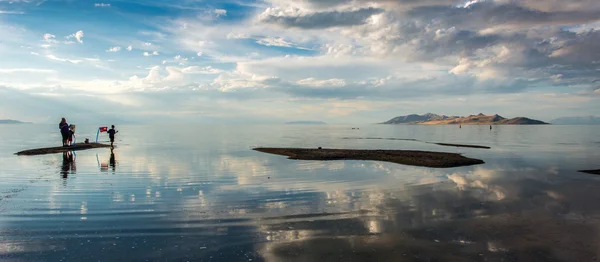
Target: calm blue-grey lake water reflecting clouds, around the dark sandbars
(200, 193)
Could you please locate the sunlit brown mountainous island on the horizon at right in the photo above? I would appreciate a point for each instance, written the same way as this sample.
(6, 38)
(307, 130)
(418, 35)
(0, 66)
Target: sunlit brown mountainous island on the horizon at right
(480, 119)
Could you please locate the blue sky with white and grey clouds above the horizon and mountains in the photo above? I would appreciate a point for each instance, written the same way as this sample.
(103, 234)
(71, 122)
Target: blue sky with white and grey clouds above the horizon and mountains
(272, 61)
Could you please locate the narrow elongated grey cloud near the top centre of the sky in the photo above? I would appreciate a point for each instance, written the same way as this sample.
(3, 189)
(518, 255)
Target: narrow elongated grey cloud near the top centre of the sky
(323, 20)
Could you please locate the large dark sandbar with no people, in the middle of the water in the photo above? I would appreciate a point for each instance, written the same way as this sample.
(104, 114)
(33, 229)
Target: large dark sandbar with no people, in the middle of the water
(405, 157)
